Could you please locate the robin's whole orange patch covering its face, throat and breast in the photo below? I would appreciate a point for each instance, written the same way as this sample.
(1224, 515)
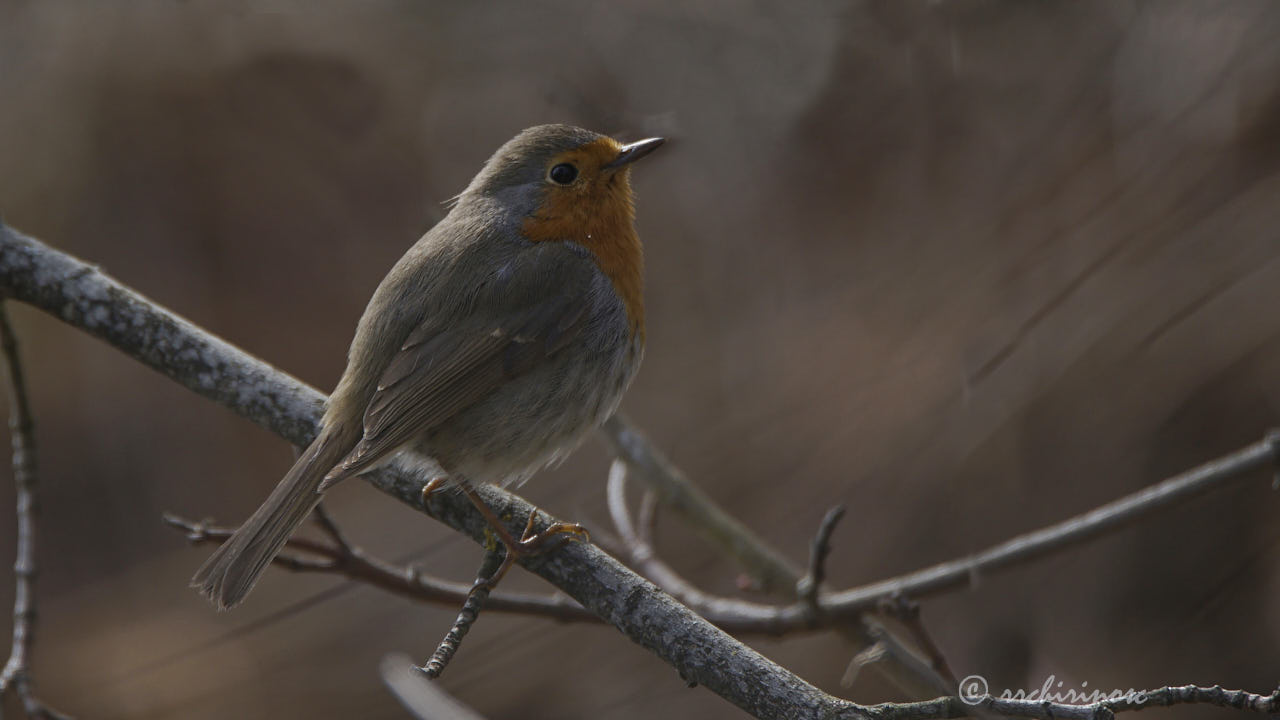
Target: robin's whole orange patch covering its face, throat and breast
(597, 212)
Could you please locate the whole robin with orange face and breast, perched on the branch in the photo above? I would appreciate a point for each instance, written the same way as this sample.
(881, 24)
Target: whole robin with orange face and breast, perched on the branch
(492, 348)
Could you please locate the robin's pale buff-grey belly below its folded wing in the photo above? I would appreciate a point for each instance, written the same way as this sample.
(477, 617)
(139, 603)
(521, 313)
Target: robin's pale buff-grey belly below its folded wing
(536, 420)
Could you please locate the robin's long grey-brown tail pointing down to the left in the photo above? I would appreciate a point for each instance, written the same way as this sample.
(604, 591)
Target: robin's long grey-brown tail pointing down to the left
(227, 577)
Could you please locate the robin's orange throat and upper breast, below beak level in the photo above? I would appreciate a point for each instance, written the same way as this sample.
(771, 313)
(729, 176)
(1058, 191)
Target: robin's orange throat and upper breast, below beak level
(604, 222)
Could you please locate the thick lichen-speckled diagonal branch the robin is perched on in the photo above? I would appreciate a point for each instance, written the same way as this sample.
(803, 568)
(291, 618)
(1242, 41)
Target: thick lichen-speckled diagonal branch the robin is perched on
(85, 298)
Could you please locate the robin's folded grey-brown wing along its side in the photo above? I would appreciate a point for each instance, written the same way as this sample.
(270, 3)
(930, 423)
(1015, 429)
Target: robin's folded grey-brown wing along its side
(531, 312)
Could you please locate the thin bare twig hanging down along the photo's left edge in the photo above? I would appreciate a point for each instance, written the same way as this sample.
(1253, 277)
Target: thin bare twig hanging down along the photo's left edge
(16, 676)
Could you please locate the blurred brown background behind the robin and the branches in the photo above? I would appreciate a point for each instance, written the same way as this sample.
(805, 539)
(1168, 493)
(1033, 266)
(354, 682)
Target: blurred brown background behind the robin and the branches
(966, 267)
